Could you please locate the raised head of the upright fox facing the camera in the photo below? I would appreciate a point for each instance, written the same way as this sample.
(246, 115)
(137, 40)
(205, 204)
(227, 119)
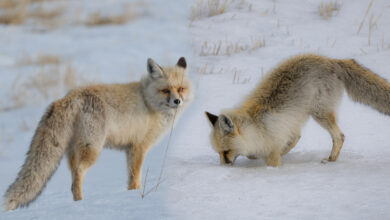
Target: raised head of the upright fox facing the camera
(167, 88)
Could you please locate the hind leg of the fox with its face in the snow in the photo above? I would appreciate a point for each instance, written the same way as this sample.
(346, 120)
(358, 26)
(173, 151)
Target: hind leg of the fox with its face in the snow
(328, 121)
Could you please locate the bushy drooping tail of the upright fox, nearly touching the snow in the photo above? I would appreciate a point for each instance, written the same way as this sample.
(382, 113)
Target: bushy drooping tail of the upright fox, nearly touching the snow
(47, 147)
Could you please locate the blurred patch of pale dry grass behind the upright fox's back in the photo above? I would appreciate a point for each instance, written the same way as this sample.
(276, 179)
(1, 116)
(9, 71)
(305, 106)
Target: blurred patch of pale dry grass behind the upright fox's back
(51, 80)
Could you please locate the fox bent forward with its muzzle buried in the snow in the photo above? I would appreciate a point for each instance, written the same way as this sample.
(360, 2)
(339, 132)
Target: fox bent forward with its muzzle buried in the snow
(269, 122)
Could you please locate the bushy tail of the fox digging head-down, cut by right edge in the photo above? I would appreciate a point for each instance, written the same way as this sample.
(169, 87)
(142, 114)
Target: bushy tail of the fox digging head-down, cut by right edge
(364, 86)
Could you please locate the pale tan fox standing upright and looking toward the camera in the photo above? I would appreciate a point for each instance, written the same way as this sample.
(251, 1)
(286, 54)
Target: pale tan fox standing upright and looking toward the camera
(129, 117)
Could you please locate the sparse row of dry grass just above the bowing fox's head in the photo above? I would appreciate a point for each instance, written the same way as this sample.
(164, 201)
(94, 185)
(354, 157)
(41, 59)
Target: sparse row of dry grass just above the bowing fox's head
(221, 48)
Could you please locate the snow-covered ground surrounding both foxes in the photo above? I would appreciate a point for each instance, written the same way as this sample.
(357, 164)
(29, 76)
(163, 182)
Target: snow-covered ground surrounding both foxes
(228, 54)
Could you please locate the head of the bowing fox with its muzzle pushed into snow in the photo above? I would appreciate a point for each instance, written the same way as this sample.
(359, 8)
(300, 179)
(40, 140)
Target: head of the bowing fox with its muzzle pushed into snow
(225, 137)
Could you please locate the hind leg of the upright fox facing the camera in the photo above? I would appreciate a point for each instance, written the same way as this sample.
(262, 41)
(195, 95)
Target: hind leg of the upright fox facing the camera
(80, 160)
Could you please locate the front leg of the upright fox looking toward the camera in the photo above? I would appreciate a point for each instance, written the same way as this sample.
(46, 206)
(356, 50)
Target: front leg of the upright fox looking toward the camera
(135, 157)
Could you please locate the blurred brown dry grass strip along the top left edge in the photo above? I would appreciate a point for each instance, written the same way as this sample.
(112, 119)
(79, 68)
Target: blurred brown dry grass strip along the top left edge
(48, 14)
